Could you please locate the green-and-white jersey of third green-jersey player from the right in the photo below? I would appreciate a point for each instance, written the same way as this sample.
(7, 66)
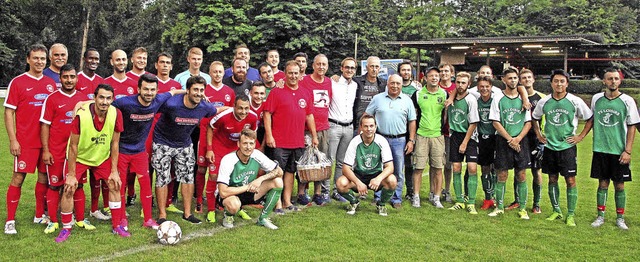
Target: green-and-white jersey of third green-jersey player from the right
(508, 111)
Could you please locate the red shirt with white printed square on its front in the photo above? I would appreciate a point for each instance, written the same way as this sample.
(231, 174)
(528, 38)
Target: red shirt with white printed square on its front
(321, 99)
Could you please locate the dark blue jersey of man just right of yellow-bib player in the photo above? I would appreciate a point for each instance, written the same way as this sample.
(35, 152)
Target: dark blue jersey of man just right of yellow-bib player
(137, 121)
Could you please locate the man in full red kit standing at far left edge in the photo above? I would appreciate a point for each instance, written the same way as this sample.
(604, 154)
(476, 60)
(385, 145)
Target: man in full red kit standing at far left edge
(23, 104)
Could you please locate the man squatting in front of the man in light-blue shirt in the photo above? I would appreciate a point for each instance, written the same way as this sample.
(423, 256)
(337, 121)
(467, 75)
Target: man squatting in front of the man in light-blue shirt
(367, 165)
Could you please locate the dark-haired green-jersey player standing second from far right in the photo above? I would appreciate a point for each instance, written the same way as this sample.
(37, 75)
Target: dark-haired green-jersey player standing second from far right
(562, 112)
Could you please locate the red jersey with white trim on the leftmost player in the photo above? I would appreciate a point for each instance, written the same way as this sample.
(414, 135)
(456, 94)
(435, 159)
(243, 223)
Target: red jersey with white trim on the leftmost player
(26, 95)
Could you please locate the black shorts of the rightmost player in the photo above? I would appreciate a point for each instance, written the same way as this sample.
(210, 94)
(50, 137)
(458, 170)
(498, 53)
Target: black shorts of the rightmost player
(607, 166)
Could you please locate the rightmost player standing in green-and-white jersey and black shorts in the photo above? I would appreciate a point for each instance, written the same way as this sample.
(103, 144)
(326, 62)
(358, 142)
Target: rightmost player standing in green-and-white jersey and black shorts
(614, 121)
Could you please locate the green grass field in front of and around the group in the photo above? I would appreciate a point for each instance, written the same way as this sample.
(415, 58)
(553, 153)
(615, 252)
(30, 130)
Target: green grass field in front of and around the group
(328, 234)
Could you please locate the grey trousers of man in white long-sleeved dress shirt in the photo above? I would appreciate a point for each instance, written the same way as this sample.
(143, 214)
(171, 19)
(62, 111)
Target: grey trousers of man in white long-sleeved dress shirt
(339, 138)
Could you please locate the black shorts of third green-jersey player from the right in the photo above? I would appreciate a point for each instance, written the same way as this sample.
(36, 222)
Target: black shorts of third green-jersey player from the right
(507, 158)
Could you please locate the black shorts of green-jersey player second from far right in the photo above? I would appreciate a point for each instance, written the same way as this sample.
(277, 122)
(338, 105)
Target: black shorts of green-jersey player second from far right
(563, 162)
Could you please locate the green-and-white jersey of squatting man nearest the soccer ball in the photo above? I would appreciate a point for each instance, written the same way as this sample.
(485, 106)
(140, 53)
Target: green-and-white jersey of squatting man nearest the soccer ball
(234, 173)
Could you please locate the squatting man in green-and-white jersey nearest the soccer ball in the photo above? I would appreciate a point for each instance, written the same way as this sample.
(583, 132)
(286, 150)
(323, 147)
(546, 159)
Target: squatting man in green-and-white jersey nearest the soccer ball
(239, 184)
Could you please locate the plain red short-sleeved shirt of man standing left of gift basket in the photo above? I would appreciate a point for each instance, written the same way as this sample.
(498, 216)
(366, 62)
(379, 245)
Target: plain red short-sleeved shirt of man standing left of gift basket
(289, 109)
